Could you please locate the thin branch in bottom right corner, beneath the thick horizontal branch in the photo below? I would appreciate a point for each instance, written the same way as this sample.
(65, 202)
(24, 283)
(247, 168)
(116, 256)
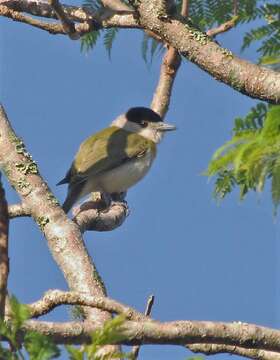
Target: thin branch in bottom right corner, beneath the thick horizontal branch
(212, 349)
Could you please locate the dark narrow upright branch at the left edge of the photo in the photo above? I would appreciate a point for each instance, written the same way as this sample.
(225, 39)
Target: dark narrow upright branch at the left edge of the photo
(4, 257)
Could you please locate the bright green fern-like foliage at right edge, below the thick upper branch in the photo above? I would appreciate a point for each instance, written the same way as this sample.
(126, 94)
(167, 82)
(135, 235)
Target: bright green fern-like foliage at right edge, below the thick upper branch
(252, 155)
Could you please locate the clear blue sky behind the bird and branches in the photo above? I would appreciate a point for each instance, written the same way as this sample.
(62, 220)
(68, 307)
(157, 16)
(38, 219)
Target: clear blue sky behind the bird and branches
(201, 260)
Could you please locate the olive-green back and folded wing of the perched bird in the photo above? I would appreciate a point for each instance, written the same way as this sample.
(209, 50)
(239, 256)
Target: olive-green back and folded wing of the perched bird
(106, 150)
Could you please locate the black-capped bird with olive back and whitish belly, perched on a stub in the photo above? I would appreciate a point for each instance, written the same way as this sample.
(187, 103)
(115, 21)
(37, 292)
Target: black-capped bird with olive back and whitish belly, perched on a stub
(117, 157)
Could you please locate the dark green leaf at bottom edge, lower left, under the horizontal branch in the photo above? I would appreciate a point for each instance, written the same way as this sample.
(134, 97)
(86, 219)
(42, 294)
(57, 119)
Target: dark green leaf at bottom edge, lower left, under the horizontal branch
(40, 347)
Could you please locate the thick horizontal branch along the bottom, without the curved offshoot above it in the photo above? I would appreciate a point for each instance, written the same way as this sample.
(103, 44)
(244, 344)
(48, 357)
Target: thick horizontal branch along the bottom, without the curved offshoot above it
(168, 333)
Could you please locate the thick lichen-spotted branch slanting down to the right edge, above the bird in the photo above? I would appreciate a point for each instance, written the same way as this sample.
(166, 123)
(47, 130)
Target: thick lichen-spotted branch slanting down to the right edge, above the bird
(247, 78)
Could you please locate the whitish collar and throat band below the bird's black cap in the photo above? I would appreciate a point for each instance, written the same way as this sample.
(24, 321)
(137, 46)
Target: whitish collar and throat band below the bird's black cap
(148, 132)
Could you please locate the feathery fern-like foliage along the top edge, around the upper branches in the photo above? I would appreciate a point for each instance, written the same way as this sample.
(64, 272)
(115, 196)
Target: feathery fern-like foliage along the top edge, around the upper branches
(206, 14)
